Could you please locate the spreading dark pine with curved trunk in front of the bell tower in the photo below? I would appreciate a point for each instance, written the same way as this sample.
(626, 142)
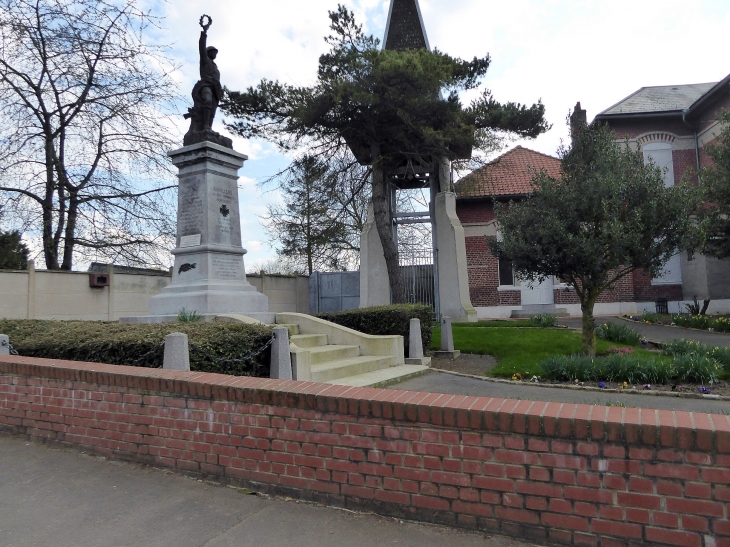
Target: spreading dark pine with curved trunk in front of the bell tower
(388, 107)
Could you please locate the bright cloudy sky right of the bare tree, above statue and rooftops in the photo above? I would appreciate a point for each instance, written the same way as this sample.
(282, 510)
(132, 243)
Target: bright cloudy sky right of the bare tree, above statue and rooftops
(559, 51)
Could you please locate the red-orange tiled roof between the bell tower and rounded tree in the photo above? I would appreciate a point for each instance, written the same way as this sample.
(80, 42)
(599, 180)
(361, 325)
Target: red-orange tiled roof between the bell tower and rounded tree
(508, 175)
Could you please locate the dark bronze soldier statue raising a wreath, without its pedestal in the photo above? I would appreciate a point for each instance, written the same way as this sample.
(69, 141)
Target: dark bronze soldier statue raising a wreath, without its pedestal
(206, 94)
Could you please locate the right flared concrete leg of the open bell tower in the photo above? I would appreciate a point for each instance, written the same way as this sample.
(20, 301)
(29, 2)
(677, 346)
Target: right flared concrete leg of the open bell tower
(453, 276)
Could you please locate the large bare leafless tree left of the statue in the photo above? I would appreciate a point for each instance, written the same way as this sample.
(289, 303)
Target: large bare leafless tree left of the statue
(82, 127)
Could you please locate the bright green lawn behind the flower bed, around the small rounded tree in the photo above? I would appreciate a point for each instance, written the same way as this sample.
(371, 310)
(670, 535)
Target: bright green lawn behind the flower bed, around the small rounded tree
(520, 350)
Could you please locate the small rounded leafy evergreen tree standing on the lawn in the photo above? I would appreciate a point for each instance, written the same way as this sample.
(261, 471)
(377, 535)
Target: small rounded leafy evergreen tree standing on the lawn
(607, 215)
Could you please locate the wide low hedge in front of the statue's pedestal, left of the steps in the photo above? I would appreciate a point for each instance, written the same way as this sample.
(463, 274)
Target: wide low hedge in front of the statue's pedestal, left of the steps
(123, 343)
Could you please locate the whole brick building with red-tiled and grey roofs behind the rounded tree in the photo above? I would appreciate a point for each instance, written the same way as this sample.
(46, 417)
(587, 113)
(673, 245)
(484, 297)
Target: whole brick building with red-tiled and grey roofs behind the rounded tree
(673, 124)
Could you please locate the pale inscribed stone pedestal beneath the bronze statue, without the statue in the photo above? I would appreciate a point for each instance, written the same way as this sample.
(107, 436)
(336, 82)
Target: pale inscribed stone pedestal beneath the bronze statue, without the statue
(209, 274)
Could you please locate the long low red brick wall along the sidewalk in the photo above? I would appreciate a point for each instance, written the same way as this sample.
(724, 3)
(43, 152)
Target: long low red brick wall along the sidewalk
(563, 473)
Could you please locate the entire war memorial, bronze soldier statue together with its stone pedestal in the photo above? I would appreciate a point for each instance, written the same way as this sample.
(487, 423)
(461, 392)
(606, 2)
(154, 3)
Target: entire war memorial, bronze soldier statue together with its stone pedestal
(209, 276)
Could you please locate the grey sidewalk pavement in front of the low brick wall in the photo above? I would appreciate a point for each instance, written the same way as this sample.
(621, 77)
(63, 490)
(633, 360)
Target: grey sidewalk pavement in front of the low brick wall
(62, 498)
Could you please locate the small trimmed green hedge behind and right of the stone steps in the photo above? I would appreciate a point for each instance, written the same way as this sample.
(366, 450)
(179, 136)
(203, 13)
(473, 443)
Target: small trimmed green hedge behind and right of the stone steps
(385, 320)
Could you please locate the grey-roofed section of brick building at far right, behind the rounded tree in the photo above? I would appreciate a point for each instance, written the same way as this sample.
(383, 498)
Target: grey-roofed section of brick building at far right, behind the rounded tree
(673, 125)
